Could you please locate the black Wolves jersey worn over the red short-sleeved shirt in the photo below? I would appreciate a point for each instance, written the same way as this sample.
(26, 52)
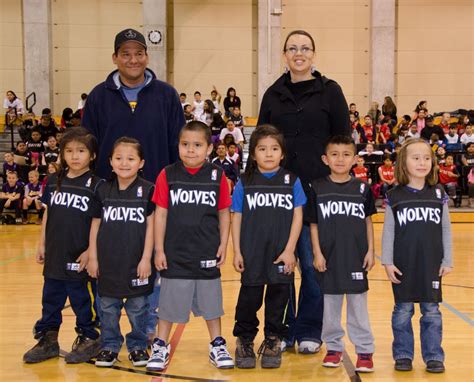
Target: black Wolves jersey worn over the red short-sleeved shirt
(192, 227)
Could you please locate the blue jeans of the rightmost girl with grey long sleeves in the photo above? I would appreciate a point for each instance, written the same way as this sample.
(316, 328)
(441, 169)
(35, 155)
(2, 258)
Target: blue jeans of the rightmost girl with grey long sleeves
(431, 331)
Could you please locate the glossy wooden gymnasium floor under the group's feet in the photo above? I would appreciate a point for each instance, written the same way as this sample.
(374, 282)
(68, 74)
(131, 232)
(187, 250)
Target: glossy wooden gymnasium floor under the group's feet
(20, 307)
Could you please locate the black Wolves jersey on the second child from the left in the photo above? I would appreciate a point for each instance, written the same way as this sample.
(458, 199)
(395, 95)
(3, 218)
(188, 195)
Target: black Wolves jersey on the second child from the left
(121, 238)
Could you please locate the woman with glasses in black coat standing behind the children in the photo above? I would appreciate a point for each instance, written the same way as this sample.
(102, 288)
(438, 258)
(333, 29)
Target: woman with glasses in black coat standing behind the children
(308, 109)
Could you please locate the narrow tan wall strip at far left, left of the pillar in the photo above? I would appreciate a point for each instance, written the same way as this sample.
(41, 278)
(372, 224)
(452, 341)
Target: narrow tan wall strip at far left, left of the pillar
(11, 49)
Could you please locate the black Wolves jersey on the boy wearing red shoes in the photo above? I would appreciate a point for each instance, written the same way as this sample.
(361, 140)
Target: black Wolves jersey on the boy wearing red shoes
(340, 210)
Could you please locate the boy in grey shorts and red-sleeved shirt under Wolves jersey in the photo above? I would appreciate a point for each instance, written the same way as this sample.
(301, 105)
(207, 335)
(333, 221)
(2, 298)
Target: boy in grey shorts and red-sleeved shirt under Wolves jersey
(191, 232)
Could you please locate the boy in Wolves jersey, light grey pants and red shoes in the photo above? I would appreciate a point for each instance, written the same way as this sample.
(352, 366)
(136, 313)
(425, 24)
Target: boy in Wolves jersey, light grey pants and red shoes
(342, 235)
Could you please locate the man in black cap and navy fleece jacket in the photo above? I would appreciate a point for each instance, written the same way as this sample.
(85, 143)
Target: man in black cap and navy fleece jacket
(132, 102)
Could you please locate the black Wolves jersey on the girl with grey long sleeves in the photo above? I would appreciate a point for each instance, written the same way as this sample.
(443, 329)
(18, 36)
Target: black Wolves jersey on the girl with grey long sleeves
(418, 245)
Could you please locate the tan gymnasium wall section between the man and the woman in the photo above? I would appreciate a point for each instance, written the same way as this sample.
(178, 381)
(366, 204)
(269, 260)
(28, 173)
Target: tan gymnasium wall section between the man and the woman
(213, 42)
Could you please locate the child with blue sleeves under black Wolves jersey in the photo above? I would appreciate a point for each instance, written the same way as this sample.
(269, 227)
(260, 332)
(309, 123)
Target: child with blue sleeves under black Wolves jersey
(267, 205)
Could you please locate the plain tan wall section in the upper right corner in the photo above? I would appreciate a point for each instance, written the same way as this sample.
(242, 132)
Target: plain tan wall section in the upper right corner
(435, 54)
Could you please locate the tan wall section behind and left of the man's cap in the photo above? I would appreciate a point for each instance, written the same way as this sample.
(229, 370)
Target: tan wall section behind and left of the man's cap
(83, 35)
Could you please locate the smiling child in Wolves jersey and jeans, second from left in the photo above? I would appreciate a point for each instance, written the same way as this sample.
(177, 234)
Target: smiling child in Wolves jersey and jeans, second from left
(120, 254)
